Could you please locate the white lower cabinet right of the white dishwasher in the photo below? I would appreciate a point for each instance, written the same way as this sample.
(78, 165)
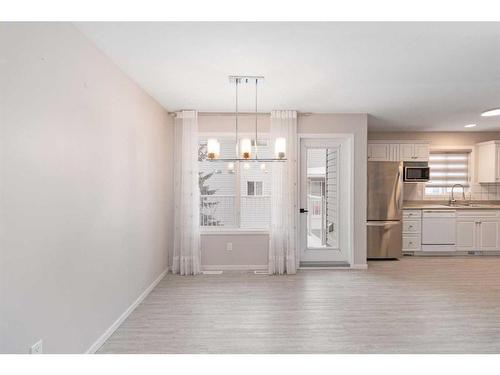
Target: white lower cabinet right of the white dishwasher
(478, 231)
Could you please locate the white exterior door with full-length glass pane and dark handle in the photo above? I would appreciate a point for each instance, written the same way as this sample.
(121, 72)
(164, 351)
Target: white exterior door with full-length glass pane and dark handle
(325, 182)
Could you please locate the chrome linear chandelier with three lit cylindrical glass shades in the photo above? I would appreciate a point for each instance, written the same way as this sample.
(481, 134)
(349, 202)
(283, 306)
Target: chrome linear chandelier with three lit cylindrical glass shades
(244, 151)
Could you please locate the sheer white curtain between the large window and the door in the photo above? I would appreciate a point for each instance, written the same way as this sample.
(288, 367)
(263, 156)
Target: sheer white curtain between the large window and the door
(283, 229)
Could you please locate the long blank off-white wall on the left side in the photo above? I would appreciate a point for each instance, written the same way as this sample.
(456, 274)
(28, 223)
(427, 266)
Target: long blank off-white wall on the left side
(85, 190)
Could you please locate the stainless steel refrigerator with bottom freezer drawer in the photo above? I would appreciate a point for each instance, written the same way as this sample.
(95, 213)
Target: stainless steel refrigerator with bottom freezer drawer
(385, 201)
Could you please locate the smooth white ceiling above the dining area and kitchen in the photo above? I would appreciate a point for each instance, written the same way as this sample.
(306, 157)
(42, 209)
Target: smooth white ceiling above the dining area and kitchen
(407, 76)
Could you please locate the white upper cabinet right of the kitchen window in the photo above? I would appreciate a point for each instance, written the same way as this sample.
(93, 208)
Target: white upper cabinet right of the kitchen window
(488, 161)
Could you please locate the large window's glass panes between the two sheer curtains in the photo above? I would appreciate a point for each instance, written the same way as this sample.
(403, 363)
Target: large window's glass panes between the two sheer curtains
(234, 195)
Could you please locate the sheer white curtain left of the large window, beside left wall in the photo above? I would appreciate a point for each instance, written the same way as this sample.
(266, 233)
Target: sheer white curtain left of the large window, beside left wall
(186, 260)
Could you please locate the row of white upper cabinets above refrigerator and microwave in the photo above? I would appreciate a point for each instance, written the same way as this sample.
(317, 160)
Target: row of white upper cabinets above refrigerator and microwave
(397, 151)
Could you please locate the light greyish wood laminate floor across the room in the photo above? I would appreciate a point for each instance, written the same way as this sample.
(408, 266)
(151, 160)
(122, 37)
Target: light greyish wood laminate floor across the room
(415, 305)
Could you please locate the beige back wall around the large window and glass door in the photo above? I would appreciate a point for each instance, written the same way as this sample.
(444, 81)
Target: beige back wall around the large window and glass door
(253, 249)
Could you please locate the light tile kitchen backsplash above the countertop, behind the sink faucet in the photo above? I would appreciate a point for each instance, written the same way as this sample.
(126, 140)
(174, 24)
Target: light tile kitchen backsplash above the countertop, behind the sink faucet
(486, 192)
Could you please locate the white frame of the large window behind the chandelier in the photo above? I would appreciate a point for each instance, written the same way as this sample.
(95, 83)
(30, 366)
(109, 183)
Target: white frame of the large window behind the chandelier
(222, 230)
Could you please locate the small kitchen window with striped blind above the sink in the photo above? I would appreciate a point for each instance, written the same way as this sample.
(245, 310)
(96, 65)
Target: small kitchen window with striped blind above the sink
(447, 169)
